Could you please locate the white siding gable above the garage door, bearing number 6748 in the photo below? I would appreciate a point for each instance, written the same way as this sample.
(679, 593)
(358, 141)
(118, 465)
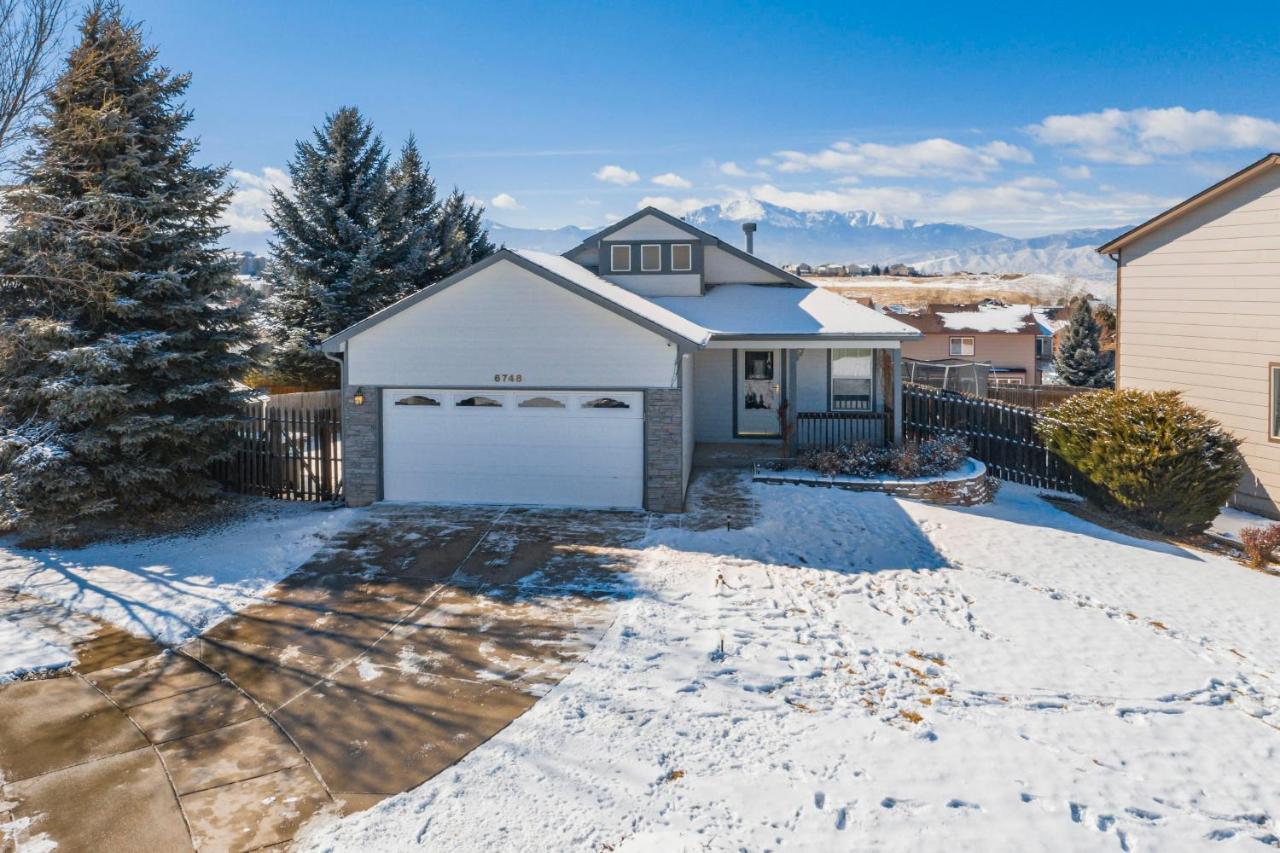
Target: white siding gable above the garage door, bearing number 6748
(509, 321)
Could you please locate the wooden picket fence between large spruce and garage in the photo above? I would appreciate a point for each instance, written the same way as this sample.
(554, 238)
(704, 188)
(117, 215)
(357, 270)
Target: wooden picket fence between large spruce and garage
(290, 453)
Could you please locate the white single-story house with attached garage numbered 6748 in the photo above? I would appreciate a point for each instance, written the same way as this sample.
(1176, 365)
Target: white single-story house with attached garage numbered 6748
(588, 380)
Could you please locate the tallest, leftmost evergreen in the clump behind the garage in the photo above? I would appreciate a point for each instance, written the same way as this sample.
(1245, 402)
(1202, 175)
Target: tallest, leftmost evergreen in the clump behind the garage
(341, 245)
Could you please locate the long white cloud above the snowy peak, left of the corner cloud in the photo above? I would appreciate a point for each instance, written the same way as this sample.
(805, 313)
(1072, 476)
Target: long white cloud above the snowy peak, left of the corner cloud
(931, 158)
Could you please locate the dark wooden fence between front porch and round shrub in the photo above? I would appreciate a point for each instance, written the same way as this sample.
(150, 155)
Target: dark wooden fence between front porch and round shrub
(1000, 435)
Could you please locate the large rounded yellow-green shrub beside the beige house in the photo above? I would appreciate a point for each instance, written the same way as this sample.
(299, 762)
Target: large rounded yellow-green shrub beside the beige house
(1149, 455)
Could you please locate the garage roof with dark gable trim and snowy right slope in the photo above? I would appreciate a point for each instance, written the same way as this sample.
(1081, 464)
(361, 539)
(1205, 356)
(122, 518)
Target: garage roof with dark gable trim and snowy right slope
(559, 271)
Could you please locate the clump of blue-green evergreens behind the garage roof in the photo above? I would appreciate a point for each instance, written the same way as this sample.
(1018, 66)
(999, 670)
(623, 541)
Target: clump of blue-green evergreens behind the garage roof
(358, 235)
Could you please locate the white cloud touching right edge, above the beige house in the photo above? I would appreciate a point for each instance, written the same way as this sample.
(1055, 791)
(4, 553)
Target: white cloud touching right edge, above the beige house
(1136, 138)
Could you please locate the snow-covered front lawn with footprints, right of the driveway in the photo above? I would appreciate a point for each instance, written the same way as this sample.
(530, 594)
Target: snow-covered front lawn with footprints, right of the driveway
(862, 673)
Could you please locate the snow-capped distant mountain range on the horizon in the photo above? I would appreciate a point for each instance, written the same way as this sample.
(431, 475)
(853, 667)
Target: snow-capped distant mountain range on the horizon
(789, 236)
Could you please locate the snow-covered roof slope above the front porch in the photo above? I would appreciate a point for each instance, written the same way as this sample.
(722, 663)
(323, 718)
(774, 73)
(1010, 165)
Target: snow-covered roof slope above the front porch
(758, 309)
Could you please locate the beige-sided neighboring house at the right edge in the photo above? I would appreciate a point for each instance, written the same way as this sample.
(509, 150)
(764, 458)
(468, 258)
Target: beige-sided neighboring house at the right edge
(1197, 307)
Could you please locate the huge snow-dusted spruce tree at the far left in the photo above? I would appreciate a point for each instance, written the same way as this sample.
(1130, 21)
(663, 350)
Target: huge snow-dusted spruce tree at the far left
(120, 330)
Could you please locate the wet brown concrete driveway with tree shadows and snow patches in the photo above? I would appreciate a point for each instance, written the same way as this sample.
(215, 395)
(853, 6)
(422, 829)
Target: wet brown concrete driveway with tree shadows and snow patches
(415, 638)
